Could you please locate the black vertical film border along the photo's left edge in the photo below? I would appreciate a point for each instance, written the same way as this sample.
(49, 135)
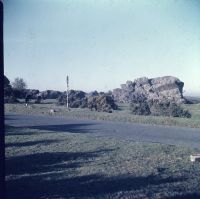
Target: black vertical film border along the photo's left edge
(2, 134)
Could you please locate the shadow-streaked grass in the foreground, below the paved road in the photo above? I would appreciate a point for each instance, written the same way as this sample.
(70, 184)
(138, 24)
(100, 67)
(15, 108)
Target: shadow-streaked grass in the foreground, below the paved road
(48, 164)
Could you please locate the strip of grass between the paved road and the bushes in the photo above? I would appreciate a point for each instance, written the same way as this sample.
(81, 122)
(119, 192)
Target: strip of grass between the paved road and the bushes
(122, 115)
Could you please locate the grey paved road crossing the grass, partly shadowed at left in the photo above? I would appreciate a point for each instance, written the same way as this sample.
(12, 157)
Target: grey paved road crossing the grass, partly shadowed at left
(138, 132)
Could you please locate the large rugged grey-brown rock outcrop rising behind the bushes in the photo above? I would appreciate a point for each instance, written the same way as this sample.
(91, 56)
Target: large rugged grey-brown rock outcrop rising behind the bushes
(160, 88)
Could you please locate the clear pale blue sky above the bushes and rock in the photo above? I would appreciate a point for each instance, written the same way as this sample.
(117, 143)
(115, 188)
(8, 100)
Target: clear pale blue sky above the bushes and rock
(101, 44)
